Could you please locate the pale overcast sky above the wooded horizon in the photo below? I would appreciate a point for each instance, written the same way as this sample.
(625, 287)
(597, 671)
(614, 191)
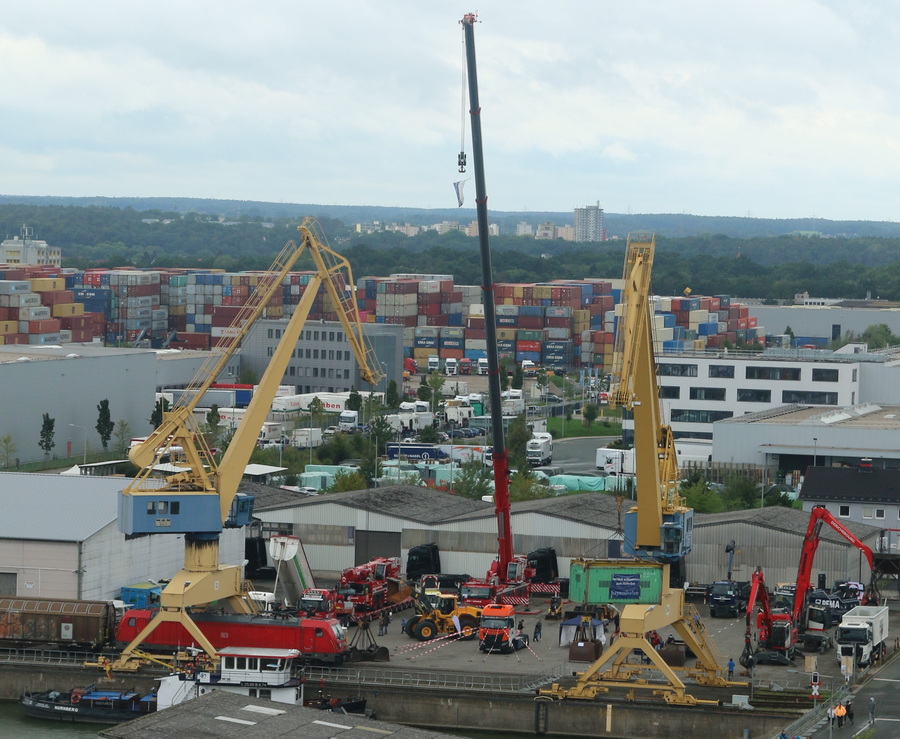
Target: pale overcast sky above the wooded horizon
(769, 109)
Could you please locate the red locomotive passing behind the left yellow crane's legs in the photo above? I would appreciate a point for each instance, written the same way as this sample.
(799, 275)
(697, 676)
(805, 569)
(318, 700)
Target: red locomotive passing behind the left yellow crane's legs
(320, 640)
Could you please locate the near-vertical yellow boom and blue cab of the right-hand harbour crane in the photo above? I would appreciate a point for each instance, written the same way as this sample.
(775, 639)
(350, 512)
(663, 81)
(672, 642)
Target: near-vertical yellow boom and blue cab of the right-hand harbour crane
(659, 527)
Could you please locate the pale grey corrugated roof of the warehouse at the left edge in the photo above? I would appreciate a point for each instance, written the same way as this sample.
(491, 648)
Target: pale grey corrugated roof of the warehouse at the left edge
(56, 507)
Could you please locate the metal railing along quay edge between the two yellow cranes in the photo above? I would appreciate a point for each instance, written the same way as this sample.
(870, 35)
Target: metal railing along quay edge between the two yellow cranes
(434, 679)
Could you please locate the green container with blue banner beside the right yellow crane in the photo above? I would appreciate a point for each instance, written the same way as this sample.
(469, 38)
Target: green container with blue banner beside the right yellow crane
(599, 581)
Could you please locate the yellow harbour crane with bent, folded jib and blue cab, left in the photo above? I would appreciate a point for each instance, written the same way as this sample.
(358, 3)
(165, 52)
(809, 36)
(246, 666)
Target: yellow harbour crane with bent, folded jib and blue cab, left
(202, 499)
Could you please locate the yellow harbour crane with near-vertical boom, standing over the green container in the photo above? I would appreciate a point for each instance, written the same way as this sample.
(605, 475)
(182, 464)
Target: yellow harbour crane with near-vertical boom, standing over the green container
(659, 528)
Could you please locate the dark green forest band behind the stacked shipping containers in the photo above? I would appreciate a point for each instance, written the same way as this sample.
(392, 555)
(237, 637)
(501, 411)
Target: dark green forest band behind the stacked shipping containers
(772, 267)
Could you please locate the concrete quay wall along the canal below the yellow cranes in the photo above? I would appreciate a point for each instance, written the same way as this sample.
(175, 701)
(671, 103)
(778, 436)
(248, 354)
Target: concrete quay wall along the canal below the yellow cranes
(459, 708)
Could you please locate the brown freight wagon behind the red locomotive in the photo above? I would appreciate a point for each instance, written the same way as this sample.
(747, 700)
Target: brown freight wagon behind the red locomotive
(87, 624)
